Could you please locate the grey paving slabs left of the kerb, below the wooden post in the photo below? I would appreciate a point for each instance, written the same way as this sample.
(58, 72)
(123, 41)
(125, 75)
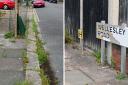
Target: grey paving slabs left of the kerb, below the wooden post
(11, 65)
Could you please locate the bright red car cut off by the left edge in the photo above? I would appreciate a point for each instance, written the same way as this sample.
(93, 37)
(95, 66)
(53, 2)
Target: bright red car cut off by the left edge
(7, 4)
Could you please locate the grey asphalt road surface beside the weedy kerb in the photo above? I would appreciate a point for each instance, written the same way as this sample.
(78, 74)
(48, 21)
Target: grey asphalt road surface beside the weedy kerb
(51, 24)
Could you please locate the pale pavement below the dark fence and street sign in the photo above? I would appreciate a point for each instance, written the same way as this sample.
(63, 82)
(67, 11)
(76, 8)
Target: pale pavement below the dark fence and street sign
(83, 69)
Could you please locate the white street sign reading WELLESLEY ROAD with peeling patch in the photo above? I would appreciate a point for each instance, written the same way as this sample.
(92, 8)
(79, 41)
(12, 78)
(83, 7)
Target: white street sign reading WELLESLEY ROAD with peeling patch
(112, 33)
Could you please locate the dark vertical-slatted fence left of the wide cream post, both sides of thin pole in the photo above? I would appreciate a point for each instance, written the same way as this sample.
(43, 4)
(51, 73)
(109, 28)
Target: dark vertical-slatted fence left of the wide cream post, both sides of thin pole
(94, 10)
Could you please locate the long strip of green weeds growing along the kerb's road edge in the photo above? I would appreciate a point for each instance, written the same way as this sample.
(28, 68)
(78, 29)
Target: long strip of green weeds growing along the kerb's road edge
(42, 56)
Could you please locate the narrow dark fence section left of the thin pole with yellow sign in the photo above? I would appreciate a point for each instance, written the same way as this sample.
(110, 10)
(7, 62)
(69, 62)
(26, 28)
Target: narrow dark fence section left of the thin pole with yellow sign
(72, 17)
